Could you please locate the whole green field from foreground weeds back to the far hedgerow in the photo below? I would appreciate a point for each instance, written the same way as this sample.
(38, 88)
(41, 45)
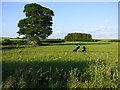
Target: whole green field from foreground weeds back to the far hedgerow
(57, 66)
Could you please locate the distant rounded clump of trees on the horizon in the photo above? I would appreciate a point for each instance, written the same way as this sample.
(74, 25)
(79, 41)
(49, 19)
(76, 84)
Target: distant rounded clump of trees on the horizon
(78, 37)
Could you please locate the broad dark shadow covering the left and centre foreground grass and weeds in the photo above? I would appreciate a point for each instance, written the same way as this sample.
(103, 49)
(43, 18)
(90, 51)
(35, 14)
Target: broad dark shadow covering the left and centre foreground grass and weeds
(42, 74)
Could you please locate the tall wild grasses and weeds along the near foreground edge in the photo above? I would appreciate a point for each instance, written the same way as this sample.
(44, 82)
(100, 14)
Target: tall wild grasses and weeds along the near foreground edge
(98, 75)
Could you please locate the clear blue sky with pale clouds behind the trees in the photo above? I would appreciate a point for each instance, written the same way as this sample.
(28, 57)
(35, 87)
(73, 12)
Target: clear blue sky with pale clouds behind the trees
(98, 19)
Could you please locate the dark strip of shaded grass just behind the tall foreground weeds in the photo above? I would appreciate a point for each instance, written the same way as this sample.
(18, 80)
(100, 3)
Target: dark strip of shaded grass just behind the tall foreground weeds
(9, 68)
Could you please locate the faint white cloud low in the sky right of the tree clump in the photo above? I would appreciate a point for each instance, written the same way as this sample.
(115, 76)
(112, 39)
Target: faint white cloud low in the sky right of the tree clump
(103, 31)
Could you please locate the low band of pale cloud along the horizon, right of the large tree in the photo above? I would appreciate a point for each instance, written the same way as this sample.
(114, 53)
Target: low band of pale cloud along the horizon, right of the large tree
(100, 31)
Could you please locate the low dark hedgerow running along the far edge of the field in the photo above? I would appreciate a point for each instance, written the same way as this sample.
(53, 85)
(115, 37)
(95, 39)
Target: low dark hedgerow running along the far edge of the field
(20, 41)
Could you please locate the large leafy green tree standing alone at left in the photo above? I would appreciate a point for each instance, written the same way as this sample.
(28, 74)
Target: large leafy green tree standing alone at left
(37, 24)
